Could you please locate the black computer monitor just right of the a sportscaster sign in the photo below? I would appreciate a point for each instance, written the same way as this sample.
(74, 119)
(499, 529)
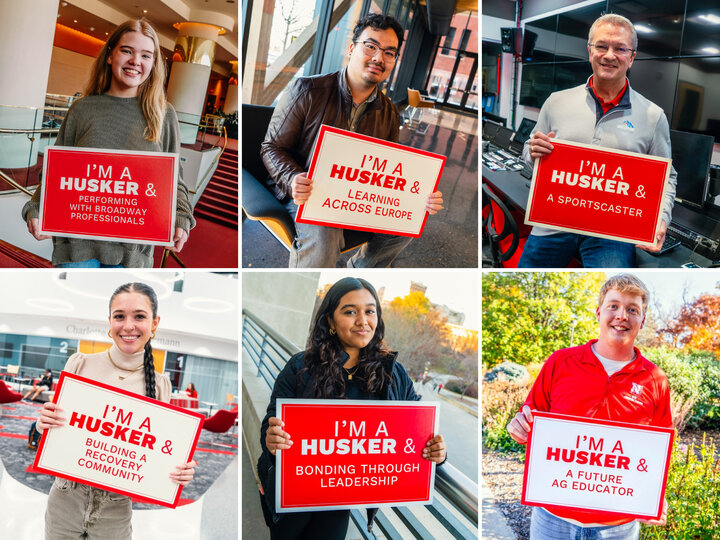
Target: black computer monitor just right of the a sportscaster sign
(691, 154)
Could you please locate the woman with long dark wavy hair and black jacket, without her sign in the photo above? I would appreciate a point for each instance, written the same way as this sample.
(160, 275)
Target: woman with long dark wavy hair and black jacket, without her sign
(345, 358)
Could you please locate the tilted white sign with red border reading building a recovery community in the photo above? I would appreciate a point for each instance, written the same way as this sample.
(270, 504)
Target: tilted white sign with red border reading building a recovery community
(118, 441)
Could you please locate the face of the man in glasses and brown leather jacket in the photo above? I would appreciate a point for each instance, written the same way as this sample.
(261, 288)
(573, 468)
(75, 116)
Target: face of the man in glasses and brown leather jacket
(371, 70)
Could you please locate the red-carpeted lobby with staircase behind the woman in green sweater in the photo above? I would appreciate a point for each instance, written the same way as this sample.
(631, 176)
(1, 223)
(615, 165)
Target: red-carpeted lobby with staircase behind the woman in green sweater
(48, 50)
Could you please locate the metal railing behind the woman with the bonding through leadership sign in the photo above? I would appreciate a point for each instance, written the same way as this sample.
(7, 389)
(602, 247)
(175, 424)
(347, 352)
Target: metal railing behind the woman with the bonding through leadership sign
(457, 488)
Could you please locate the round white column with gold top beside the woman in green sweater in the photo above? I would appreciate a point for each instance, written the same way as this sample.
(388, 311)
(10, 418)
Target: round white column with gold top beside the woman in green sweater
(192, 62)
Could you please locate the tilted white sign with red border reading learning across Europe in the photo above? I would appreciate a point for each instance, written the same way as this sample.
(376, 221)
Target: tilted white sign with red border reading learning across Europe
(368, 184)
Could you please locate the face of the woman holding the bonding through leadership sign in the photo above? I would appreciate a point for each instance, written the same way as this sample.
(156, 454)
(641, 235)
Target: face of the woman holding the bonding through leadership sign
(355, 320)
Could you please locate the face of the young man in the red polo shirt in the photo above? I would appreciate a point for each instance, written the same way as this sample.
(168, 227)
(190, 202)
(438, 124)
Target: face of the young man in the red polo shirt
(621, 317)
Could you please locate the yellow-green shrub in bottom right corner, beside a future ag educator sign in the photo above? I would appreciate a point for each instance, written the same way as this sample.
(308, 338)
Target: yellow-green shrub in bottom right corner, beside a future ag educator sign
(693, 494)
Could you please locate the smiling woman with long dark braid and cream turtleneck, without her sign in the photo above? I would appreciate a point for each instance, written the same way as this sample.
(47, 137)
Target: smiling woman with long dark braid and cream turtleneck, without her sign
(75, 510)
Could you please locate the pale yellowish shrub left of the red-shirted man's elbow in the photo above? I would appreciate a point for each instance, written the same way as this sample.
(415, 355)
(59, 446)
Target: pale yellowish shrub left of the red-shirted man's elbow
(500, 402)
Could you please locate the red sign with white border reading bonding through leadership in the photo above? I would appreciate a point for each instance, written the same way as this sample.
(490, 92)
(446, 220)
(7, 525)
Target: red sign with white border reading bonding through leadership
(354, 454)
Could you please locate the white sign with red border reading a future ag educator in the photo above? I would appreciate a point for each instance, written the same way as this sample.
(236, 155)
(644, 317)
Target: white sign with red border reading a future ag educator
(614, 468)
